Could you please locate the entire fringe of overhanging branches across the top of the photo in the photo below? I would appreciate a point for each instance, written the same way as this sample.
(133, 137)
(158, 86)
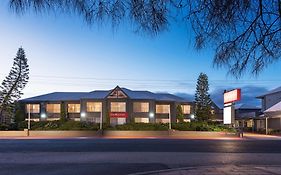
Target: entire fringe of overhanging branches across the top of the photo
(245, 34)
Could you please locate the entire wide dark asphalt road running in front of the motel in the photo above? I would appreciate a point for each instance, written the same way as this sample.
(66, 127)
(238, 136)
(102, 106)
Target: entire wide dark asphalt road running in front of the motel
(125, 156)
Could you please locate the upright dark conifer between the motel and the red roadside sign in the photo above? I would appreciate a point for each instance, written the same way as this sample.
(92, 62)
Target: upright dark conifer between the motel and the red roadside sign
(202, 99)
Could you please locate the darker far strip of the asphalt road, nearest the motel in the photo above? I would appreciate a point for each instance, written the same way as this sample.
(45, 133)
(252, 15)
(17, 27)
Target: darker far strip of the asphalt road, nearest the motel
(140, 145)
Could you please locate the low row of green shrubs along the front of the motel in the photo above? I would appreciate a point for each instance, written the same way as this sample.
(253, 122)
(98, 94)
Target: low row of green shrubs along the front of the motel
(76, 125)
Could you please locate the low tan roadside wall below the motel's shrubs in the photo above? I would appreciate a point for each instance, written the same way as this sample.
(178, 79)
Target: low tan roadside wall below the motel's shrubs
(119, 134)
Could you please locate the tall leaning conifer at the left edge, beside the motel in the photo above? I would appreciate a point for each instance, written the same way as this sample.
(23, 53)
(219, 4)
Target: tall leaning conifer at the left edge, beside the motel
(12, 86)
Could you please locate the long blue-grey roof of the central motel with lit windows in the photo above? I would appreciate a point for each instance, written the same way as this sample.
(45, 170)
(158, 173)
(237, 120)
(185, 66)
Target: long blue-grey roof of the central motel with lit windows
(101, 94)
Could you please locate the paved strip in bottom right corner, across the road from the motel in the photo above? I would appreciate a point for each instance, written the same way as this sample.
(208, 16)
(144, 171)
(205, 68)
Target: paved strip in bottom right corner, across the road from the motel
(218, 170)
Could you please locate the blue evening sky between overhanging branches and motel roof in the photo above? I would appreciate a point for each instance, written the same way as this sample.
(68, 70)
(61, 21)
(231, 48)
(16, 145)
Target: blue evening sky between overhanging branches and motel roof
(67, 55)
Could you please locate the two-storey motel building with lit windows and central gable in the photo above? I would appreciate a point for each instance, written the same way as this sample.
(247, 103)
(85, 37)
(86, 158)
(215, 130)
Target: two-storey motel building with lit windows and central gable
(119, 105)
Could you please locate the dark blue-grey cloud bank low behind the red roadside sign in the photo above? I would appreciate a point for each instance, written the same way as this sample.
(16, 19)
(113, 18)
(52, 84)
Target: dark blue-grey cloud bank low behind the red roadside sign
(248, 96)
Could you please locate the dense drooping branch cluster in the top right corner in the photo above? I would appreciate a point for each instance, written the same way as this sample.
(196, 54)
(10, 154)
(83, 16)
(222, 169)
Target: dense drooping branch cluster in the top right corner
(246, 34)
